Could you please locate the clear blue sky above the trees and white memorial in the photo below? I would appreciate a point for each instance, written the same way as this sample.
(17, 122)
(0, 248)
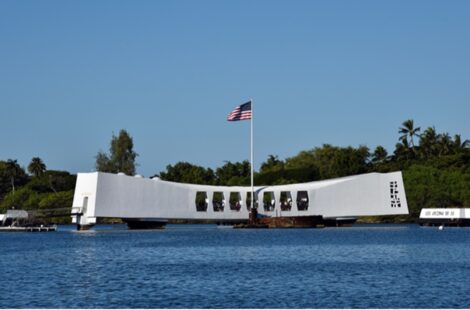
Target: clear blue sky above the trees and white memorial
(169, 72)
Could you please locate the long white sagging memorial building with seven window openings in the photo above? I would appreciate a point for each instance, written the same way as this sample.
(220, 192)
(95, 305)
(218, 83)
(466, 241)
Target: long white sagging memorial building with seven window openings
(121, 196)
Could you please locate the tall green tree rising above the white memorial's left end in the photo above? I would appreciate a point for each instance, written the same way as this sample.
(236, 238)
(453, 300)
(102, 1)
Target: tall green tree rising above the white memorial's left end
(121, 156)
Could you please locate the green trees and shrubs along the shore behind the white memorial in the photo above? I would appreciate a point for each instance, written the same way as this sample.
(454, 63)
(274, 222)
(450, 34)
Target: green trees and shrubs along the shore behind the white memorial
(435, 166)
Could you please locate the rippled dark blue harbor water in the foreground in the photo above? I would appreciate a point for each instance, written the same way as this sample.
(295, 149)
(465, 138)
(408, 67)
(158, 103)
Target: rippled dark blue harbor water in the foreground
(203, 266)
